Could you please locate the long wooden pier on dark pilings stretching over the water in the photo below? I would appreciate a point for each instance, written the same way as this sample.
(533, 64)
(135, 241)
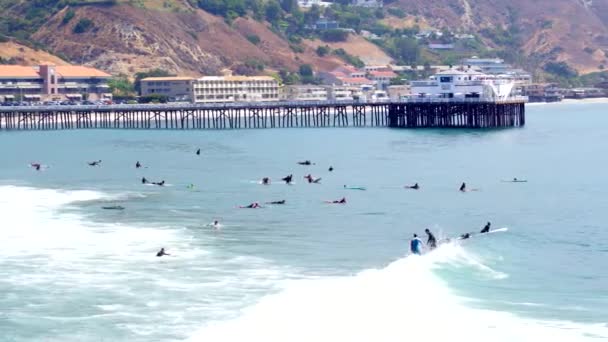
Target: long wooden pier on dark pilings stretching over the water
(418, 113)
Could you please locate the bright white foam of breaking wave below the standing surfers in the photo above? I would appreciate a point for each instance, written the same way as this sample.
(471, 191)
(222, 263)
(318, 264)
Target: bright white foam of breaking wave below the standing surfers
(401, 302)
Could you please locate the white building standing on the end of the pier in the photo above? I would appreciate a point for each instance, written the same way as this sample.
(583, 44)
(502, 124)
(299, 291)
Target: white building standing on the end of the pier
(461, 84)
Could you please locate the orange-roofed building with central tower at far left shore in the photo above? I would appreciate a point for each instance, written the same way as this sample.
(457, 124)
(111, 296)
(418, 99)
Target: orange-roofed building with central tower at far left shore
(49, 82)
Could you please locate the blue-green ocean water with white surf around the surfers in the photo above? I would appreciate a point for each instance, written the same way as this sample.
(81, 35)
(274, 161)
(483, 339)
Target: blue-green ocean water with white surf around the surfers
(308, 270)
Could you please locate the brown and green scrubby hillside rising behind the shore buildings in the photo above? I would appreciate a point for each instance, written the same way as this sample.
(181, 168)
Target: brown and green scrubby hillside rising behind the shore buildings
(129, 36)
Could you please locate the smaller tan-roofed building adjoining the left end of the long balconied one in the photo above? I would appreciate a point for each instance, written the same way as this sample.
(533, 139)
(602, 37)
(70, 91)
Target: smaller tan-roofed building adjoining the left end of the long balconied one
(175, 88)
